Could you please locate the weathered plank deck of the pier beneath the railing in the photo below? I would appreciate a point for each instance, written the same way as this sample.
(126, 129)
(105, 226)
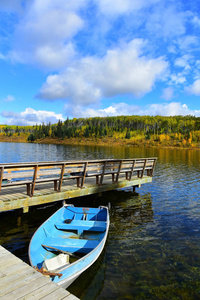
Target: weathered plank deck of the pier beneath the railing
(16, 197)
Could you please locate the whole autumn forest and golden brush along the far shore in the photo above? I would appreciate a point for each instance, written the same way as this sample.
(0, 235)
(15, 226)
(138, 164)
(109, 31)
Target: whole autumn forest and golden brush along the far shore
(178, 131)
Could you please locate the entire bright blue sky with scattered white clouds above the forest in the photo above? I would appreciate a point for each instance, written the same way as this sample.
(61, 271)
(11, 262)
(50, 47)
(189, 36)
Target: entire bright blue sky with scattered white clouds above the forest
(89, 58)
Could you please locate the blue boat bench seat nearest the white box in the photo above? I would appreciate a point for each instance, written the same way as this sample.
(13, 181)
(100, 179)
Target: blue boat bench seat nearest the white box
(70, 245)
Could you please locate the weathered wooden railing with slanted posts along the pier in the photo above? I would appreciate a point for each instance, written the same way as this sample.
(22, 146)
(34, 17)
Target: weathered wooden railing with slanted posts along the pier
(30, 174)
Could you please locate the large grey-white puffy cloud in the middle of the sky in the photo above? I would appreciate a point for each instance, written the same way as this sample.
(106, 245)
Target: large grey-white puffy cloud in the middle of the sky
(123, 70)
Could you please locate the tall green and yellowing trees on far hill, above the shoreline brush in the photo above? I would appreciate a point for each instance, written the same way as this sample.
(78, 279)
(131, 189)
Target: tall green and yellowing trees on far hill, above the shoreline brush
(148, 127)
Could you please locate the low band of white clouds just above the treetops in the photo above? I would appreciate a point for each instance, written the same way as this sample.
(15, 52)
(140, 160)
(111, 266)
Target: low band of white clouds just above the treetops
(33, 117)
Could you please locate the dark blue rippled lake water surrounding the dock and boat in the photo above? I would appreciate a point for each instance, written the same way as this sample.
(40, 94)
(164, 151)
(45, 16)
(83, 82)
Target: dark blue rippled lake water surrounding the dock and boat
(153, 247)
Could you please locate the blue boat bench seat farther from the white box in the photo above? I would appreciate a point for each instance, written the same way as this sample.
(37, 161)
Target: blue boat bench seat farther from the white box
(81, 225)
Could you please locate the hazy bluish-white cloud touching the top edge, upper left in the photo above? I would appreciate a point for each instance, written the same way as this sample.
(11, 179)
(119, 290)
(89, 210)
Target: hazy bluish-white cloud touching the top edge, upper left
(43, 36)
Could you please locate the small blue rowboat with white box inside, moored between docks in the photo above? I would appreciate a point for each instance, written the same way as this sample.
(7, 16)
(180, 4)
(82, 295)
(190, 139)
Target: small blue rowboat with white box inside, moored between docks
(69, 242)
